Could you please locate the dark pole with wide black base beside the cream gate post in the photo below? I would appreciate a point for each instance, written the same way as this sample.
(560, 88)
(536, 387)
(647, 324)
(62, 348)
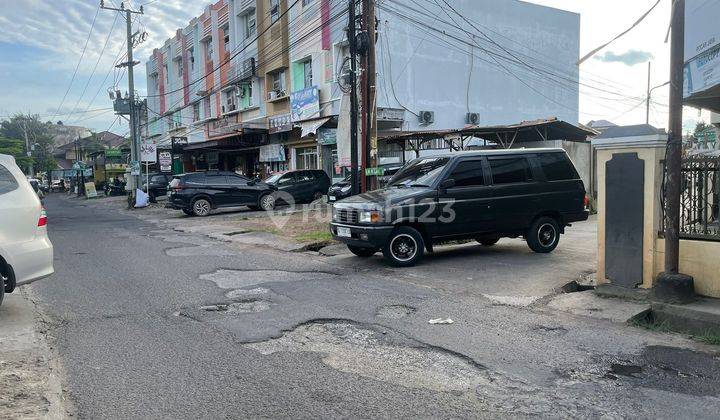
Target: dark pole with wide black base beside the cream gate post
(670, 285)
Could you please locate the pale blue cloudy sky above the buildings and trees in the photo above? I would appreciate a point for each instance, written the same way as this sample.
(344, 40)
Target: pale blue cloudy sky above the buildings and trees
(42, 41)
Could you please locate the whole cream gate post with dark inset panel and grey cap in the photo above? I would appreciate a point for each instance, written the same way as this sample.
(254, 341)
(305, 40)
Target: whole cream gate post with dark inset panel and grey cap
(629, 163)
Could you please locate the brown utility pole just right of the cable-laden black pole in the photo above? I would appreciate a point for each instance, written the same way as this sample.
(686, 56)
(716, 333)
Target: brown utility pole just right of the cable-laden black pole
(368, 91)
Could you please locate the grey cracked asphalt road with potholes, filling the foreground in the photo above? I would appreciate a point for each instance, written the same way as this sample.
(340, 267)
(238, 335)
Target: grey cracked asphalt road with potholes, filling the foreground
(151, 323)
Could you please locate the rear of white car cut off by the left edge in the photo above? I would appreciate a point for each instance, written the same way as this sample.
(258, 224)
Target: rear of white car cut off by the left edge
(26, 253)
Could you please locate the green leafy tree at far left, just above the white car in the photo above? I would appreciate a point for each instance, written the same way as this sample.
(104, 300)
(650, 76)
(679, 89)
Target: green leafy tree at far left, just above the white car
(21, 126)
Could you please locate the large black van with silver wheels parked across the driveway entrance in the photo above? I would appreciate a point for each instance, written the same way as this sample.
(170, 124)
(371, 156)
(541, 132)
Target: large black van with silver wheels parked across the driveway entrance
(485, 195)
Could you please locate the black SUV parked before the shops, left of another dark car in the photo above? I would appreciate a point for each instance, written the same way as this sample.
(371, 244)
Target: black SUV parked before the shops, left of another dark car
(198, 193)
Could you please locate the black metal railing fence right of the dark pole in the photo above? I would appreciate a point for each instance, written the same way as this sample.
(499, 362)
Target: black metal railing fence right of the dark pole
(700, 197)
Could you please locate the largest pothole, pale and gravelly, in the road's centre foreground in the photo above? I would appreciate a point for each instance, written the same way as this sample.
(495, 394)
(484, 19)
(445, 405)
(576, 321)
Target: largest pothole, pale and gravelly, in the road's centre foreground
(355, 350)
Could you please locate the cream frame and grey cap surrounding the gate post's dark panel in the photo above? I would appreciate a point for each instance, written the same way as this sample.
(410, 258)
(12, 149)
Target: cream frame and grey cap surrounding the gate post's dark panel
(650, 149)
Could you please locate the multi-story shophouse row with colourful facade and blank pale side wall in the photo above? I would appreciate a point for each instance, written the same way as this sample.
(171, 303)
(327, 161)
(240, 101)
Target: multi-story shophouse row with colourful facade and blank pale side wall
(256, 87)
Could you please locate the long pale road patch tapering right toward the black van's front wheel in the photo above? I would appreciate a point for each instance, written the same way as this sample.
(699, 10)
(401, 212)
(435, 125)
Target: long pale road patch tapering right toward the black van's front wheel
(238, 279)
